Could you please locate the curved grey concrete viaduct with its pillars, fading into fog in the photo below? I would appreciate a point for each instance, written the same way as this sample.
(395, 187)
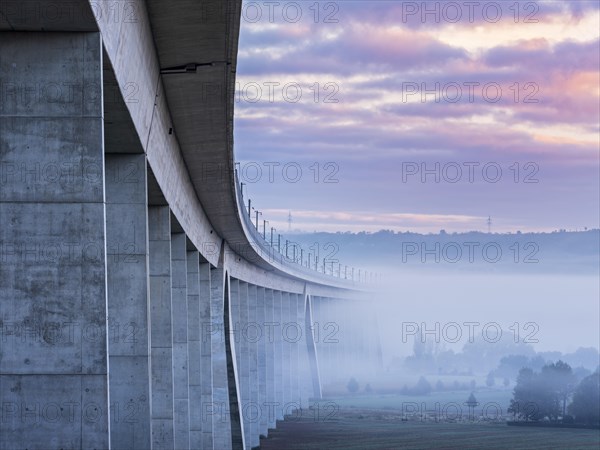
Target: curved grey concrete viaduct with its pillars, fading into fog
(139, 307)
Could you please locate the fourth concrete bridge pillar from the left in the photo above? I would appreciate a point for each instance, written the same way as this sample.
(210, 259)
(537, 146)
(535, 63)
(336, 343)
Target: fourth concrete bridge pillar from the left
(179, 313)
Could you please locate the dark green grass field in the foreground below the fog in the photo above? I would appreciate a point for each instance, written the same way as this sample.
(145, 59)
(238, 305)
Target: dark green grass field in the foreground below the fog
(365, 430)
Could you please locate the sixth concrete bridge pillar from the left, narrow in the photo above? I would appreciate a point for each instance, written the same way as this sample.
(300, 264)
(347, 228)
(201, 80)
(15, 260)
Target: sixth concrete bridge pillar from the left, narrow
(206, 406)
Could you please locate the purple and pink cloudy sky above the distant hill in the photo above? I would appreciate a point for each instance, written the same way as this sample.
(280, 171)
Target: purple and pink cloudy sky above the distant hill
(420, 116)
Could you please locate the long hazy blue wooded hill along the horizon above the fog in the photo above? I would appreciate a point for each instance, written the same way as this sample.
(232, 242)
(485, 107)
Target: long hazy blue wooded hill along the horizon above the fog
(555, 252)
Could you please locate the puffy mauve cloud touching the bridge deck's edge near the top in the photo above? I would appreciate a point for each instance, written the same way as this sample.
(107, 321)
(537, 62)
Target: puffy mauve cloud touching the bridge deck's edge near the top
(357, 45)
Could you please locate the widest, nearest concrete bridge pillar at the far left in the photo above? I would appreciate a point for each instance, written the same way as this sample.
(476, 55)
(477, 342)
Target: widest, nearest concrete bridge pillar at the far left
(52, 266)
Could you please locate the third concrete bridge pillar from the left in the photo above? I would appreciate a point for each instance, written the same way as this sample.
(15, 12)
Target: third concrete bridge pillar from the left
(159, 227)
